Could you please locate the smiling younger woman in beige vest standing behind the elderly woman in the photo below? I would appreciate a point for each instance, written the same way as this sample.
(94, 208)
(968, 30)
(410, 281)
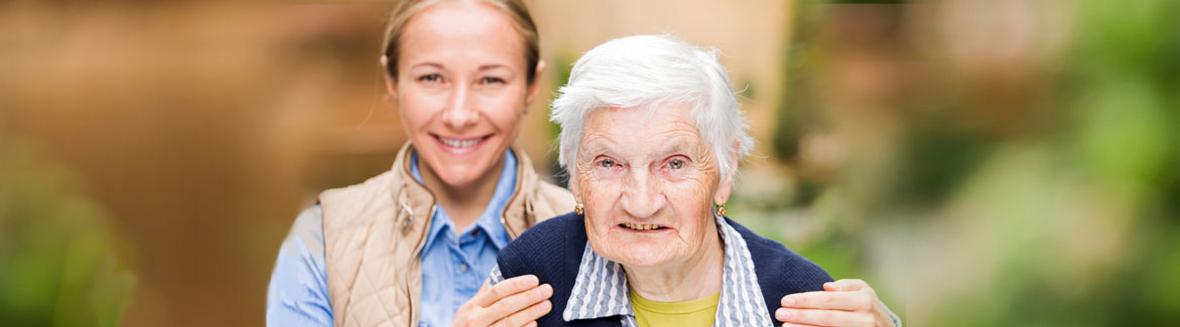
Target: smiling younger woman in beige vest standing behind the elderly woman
(415, 245)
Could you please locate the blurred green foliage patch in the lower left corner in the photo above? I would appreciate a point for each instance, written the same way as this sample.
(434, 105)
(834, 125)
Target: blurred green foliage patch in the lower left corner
(57, 252)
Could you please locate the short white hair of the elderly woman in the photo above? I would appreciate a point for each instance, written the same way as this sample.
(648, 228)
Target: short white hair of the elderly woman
(645, 71)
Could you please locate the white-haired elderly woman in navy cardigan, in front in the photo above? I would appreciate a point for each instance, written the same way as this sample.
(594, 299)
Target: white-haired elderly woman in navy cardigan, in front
(653, 134)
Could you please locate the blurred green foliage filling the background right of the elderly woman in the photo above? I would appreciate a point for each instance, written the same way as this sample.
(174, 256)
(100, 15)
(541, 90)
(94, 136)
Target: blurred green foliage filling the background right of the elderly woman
(1066, 213)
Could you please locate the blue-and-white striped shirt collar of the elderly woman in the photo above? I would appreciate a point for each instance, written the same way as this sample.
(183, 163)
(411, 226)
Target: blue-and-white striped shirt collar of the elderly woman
(601, 290)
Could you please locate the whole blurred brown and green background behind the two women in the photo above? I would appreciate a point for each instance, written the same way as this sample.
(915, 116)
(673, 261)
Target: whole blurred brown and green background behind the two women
(980, 163)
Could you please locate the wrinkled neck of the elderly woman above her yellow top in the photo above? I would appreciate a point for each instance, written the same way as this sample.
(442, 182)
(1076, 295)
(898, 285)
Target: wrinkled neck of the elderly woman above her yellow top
(697, 278)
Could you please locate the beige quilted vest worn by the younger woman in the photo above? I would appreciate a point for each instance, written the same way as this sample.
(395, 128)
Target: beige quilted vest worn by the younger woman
(373, 233)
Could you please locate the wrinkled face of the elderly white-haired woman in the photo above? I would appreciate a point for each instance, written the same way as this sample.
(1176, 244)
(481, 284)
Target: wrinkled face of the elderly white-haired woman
(647, 180)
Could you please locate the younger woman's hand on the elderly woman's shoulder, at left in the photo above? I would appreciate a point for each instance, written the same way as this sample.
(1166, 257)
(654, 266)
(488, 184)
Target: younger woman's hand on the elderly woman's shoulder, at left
(516, 302)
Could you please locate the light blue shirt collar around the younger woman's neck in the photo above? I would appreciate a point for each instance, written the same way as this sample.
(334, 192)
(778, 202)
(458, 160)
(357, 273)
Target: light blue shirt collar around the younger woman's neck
(489, 221)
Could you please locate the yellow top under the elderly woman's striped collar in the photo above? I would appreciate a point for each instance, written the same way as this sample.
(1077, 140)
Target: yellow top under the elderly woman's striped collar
(700, 312)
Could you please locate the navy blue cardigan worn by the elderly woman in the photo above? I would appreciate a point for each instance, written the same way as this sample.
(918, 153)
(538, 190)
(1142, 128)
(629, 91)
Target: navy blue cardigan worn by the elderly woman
(553, 251)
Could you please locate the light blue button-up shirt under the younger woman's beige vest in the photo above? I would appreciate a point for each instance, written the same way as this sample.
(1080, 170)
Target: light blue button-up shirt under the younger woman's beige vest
(454, 265)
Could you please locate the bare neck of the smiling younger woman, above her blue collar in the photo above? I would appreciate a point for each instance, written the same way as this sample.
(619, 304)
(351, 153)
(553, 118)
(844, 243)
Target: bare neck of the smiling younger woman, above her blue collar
(463, 204)
